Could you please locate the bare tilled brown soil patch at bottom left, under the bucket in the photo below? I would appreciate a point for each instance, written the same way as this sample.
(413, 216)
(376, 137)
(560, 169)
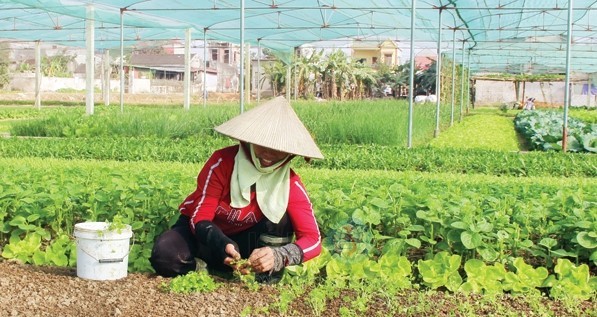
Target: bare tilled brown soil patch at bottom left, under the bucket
(51, 291)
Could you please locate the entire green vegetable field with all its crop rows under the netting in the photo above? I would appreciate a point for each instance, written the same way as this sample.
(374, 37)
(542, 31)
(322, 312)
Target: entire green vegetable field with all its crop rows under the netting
(474, 213)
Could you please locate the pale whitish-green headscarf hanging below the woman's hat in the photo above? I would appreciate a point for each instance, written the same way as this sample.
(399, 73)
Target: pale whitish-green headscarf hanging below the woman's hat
(272, 184)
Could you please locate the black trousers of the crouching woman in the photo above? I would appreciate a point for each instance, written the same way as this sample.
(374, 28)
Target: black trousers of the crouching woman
(175, 250)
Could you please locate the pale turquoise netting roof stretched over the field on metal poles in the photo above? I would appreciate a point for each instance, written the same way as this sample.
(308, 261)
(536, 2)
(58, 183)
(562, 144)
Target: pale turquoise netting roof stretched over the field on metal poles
(523, 36)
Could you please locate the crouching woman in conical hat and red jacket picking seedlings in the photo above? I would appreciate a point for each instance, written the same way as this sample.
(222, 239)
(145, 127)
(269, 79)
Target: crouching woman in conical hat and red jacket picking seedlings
(248, 202)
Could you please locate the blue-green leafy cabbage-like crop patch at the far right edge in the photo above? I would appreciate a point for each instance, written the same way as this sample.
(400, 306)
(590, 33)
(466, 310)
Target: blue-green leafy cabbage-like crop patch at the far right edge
(543, 131)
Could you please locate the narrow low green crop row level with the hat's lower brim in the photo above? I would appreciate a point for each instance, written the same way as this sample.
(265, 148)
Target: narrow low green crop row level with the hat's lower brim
(374, 157)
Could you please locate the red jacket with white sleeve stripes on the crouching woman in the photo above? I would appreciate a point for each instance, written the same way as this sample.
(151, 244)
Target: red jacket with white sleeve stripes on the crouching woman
(211, 201)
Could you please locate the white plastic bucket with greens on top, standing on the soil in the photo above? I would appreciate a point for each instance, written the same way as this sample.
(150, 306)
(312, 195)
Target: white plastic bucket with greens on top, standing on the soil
(102, 253)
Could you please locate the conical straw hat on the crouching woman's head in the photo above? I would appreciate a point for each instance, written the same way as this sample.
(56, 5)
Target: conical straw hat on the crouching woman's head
(274, 125)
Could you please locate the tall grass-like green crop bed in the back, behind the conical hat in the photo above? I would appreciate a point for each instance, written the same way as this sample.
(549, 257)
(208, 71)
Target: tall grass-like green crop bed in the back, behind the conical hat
(363, 122)
